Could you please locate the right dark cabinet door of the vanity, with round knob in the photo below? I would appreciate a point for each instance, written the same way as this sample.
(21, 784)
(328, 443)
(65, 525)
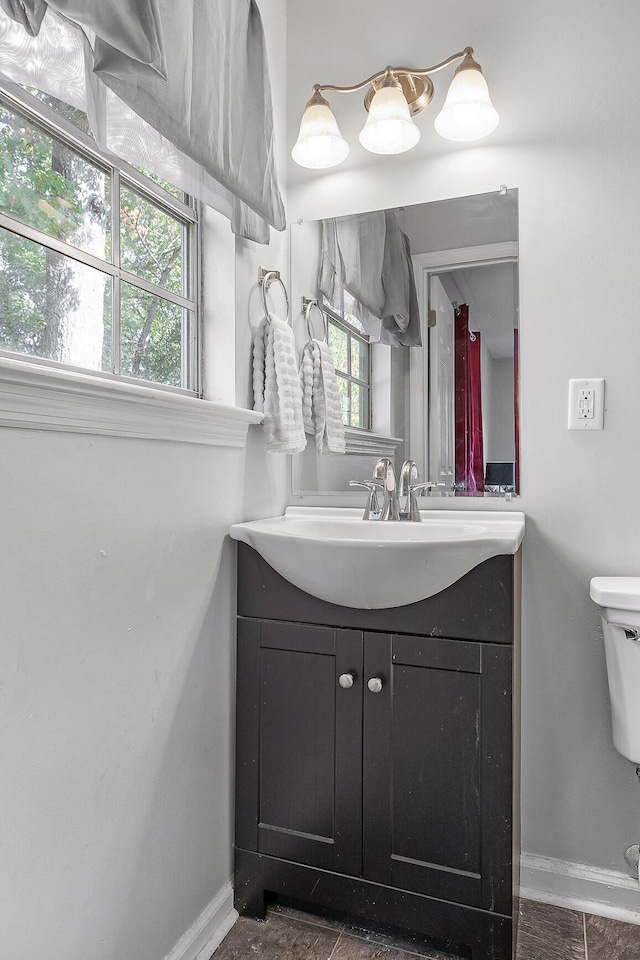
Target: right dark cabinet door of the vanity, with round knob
(437, 768)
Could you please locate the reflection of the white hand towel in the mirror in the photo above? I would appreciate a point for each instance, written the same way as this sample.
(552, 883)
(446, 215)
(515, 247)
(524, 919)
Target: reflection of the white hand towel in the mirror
(321, 408)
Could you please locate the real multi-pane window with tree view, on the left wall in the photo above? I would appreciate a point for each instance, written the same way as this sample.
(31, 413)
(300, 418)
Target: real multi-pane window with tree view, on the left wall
(98, 264)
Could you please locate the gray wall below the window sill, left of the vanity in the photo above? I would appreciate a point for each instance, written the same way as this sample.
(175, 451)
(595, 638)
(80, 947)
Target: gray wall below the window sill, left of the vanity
(117, 653)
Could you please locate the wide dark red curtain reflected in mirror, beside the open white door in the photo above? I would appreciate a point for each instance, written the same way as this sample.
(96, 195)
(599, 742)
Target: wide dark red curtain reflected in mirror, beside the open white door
(468, 406)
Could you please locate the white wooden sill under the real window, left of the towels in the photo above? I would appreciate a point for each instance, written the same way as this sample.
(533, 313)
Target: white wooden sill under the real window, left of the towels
(39, 398)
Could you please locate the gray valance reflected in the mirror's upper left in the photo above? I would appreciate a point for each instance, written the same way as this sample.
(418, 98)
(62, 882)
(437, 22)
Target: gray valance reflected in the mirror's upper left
(368, 256)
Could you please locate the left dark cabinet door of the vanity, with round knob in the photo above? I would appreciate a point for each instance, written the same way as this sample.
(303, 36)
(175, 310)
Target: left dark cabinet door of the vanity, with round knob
(299, 767)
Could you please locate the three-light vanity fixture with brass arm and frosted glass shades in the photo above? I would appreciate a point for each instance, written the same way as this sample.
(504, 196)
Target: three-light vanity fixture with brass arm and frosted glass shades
(395, 95)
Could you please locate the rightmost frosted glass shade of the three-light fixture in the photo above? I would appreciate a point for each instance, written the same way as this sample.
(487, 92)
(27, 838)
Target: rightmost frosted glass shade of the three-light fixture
(468, 113)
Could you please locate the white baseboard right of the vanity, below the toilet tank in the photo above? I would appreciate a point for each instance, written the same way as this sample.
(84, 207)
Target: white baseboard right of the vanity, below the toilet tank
(605, 893)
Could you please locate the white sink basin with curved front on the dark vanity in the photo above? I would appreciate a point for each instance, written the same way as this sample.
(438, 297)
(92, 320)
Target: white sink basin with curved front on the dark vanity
(333, 554)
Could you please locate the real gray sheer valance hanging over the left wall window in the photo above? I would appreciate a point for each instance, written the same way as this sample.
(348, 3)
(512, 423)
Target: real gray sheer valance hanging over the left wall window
(177, 87)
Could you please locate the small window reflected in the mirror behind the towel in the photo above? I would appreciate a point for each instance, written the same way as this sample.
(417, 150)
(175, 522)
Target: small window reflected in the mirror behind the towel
(351, 353)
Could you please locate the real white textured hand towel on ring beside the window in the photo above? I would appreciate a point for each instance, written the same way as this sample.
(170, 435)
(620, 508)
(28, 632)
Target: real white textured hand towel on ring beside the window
(276, 386)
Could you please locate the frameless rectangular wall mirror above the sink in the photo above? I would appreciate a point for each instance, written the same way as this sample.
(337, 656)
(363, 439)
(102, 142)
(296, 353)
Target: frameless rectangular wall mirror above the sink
(450, 403)
